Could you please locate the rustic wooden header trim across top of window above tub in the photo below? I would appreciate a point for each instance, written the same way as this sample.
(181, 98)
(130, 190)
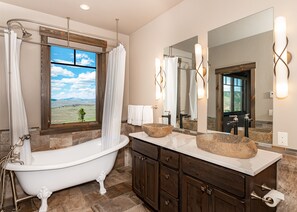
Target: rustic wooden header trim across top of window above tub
(63, 35)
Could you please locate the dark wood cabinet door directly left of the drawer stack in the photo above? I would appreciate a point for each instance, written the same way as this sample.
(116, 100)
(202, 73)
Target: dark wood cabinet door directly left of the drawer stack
(151, 182)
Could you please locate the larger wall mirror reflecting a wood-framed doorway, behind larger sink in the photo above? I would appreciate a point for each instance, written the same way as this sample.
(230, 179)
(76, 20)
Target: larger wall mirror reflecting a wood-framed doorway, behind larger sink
(241, 75)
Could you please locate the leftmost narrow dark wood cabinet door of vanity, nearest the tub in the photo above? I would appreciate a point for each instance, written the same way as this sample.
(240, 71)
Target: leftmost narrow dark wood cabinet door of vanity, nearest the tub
(137, 173)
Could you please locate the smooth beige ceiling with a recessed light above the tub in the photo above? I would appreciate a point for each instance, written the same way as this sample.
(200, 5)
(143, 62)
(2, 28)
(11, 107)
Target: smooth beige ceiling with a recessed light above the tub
(133, 14)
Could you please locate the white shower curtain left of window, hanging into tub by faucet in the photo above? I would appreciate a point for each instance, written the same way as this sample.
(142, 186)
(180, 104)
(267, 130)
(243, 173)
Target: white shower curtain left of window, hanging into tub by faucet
(16, 105)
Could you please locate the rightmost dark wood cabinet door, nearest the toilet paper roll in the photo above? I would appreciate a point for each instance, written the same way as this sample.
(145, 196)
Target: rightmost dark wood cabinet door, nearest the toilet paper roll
(222, 202)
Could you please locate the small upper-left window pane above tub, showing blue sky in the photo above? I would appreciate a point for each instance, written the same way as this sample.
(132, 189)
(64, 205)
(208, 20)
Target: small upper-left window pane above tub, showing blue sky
(62, 55)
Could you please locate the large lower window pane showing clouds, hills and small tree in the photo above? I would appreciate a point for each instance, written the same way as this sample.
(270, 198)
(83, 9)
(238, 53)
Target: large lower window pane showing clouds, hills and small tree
(73, 94)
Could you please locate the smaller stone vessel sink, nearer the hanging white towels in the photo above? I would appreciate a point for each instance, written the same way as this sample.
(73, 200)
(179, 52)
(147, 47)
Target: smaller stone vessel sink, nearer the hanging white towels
(157, 130)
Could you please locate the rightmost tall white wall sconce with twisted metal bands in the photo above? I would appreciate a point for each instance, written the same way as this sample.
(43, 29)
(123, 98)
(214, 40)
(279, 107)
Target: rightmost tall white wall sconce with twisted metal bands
(281, 58)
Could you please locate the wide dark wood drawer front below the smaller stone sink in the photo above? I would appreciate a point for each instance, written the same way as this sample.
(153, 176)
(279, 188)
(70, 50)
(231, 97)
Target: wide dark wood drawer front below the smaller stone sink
(145, 148)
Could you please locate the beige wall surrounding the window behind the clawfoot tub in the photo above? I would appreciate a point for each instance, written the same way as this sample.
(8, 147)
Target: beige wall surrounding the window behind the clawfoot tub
(30, 60)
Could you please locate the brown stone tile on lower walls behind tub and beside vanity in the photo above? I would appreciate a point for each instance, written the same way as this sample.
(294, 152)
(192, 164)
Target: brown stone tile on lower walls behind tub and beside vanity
(287, 167)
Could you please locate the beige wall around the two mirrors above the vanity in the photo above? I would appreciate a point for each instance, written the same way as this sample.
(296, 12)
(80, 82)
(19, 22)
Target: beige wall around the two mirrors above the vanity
(197, 17)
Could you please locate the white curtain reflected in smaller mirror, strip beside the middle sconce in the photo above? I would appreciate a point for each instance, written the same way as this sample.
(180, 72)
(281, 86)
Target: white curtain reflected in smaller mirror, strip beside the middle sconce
(193, 95)
